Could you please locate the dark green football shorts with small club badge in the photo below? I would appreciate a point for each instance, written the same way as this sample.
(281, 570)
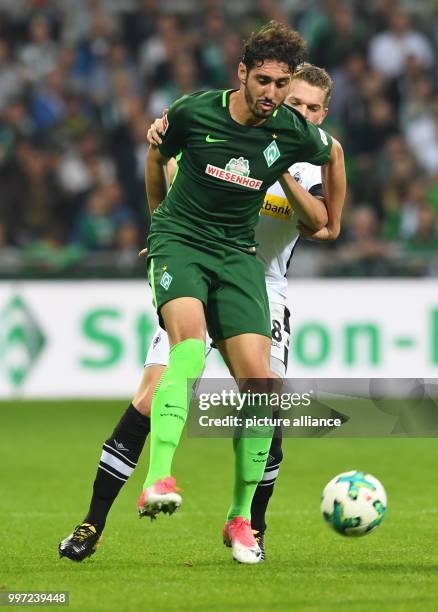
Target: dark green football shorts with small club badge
(229, 282)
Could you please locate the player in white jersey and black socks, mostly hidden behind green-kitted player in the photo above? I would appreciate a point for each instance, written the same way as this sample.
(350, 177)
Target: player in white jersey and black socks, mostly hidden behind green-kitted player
(277, 233)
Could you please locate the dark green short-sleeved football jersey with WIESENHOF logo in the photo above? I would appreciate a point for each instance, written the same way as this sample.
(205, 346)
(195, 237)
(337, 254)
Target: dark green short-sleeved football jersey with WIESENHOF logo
(225, 168)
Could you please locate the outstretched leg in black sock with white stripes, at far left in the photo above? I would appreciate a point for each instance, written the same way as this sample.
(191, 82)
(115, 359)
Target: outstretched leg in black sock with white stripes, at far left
(119, 455)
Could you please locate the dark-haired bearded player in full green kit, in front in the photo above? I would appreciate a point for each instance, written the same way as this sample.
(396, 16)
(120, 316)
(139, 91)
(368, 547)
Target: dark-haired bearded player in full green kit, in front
(202, 266)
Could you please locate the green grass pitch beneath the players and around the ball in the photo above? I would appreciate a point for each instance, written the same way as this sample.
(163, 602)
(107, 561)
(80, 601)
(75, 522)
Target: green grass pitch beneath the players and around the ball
(49, 452)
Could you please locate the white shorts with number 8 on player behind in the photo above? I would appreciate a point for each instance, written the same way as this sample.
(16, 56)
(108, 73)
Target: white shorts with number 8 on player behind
(158, 353)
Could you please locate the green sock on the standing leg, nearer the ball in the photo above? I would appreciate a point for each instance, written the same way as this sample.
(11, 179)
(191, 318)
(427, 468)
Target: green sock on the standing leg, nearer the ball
(250, 455)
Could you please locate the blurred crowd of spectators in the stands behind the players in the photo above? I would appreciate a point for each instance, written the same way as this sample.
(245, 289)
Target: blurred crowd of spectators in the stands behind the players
(80, 81)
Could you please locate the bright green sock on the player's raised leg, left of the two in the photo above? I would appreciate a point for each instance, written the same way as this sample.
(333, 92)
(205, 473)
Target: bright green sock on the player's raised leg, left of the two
(170, 405)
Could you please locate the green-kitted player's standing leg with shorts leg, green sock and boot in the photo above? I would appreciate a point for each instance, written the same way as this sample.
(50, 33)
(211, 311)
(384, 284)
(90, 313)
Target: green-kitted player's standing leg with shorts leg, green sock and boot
(239, 322)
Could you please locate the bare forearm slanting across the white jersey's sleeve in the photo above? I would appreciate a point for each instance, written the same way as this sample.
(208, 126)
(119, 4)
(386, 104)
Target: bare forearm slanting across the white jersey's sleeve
(310, 209)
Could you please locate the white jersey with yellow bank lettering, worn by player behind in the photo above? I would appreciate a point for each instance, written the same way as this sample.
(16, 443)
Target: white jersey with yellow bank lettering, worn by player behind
(276, 231)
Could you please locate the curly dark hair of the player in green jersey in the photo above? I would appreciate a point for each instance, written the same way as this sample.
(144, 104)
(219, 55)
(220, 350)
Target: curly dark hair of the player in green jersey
(275, 41)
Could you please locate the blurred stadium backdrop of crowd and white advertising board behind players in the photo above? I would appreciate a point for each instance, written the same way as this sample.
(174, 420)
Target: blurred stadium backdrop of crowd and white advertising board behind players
(80, 81)
